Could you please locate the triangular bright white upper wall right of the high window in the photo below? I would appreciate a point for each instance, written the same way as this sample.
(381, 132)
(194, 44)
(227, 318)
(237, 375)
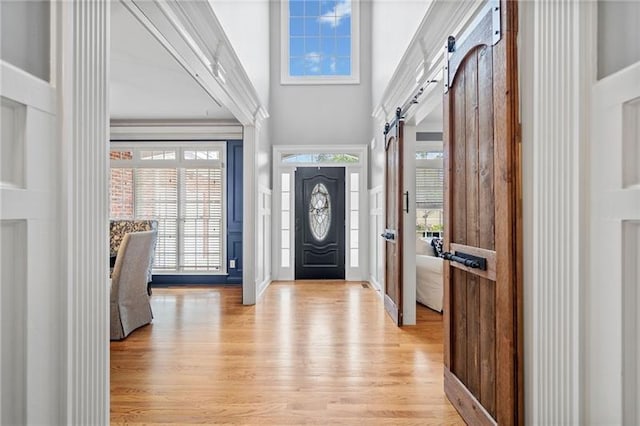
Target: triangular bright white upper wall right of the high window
(393, 25)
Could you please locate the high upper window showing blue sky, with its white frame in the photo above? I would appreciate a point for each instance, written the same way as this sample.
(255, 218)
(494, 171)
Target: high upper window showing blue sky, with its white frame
(320, 41)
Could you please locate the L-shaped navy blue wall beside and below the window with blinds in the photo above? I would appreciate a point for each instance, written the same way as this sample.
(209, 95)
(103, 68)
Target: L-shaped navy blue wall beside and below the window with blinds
(234, 229)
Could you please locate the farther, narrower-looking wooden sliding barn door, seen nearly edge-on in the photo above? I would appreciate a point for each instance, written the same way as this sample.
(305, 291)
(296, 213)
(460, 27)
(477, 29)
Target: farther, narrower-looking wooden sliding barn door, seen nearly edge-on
(393, 222)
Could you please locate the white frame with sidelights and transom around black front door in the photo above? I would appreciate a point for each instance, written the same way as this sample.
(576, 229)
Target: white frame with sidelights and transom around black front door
(284, 269)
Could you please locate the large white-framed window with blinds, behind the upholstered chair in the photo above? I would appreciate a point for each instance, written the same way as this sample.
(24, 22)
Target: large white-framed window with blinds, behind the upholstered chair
(185, 193)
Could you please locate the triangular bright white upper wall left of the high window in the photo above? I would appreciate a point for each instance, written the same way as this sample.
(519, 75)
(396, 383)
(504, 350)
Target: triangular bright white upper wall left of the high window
(246, 24)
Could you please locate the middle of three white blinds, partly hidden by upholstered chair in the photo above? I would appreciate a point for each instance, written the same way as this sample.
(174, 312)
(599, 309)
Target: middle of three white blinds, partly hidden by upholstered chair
(156, 197)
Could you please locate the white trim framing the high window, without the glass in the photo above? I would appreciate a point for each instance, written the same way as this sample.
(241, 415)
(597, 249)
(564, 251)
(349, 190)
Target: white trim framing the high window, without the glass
(287, 79)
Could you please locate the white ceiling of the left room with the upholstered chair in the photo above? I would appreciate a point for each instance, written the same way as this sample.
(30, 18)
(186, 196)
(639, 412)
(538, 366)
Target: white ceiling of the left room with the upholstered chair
(147, 82)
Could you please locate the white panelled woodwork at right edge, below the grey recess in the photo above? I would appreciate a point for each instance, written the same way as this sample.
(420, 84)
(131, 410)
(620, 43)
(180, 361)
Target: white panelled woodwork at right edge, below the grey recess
(613, 340)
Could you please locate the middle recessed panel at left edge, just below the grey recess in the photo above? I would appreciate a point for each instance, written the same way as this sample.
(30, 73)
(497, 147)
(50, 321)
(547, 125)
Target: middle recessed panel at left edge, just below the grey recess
(12, 143)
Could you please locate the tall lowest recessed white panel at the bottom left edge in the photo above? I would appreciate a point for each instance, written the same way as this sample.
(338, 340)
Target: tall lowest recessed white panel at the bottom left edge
(13, 317)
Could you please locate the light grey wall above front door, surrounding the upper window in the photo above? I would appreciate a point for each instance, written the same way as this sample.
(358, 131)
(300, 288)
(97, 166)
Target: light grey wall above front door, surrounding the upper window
(326, 114)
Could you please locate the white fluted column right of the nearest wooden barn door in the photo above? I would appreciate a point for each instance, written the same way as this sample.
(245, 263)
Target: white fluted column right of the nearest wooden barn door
(554, 77)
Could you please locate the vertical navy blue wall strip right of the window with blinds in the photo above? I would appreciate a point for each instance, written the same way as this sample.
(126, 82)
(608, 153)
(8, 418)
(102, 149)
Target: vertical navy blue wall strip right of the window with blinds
(234, 211)
